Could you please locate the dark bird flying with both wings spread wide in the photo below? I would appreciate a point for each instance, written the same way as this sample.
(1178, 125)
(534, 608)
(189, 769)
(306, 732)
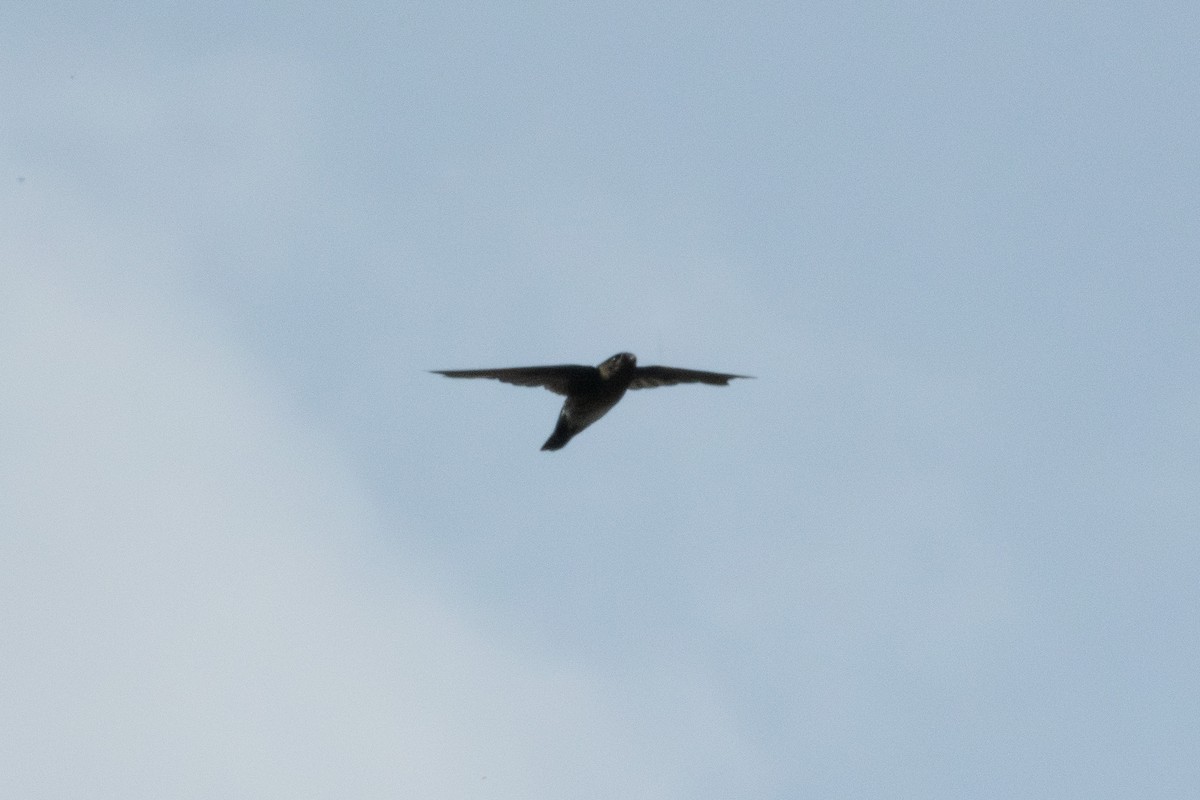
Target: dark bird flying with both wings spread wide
(592, 392)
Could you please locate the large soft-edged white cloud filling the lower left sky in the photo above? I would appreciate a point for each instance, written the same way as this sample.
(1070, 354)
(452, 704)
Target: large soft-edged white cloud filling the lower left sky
(199, 603)
